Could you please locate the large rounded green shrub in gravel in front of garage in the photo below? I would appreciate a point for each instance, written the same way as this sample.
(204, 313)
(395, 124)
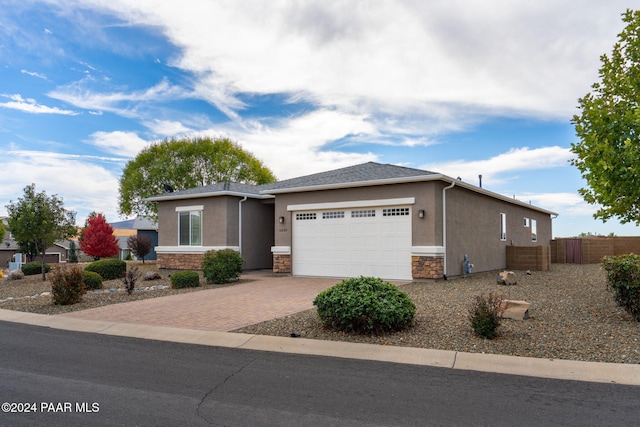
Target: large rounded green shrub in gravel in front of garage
(365, 305)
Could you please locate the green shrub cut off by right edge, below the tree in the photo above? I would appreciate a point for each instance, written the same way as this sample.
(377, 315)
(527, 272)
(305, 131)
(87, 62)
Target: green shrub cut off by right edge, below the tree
(623, 279)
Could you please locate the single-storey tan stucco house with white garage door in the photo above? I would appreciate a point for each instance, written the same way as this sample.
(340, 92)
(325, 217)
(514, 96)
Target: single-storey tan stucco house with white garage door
(371, 219)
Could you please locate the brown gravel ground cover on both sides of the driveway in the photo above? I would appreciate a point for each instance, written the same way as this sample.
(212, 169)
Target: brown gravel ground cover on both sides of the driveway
(572, 316)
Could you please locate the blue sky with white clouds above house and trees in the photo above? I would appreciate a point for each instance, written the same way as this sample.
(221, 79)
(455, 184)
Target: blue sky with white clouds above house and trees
(458, 87)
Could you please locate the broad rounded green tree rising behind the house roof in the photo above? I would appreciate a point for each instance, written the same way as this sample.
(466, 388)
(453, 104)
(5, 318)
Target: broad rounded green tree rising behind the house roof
(185, 163)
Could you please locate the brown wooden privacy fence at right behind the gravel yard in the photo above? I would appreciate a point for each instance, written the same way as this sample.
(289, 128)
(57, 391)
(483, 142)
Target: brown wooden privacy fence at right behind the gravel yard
(591, 250)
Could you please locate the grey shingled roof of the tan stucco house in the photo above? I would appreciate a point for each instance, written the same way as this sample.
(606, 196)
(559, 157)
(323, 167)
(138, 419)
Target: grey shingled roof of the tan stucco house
(362, 175)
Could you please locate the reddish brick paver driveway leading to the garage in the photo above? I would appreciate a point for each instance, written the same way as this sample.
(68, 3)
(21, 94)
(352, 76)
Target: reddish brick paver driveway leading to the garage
(265, 297)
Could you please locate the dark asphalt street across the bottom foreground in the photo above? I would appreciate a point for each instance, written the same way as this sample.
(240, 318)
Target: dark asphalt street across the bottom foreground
(63, 378)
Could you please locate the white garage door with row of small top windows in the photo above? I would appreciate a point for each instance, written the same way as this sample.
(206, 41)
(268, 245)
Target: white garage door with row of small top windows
(371, 241)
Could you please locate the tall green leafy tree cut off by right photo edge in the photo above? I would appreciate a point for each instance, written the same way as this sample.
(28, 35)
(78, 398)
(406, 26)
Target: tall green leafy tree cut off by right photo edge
(608, 153)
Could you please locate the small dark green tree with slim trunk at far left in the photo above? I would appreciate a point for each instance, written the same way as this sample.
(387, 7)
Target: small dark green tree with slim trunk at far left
(36, 221)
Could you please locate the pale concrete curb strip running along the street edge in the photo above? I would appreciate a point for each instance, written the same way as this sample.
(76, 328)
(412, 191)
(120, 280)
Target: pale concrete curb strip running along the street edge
(527, 366)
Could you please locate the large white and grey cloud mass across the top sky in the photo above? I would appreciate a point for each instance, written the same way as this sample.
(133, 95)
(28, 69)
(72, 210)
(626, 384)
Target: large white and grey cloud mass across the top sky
(391, 55)
